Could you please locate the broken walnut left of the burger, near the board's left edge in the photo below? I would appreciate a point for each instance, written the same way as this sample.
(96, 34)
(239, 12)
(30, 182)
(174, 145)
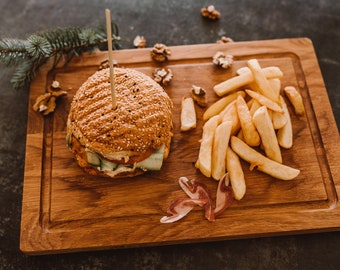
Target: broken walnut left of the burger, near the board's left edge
(46, 103)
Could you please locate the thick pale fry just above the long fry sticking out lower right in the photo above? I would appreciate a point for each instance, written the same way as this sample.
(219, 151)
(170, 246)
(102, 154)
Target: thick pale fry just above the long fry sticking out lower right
(267, 133)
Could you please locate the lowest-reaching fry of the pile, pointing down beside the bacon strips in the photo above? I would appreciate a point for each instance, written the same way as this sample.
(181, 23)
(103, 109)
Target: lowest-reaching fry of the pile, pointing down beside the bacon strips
(236, 175)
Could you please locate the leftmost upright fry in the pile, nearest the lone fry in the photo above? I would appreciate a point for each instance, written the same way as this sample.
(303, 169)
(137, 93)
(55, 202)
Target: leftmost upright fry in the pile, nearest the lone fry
(204, 157)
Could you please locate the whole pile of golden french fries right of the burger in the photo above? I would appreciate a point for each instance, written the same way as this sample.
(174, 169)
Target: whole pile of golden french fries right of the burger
(250, 121)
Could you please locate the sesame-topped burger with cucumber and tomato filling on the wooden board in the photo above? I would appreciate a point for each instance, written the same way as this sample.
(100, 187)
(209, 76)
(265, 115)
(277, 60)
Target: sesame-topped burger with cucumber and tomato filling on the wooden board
(124, 141)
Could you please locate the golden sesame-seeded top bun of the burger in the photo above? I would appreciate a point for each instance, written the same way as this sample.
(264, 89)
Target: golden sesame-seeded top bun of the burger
(141, 121)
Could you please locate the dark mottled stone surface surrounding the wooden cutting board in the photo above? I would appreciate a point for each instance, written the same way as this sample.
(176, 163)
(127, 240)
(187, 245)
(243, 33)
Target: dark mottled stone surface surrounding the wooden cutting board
(172, 22)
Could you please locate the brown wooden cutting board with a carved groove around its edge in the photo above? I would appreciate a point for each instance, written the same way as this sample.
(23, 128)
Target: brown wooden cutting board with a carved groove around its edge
(65, 210)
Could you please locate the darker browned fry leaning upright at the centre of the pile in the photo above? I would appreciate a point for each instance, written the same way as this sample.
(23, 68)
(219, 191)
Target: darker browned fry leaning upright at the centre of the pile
(250, 133)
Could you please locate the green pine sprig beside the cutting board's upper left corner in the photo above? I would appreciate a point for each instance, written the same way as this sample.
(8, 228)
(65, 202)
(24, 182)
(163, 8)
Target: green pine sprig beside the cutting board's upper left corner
(61, 43)
